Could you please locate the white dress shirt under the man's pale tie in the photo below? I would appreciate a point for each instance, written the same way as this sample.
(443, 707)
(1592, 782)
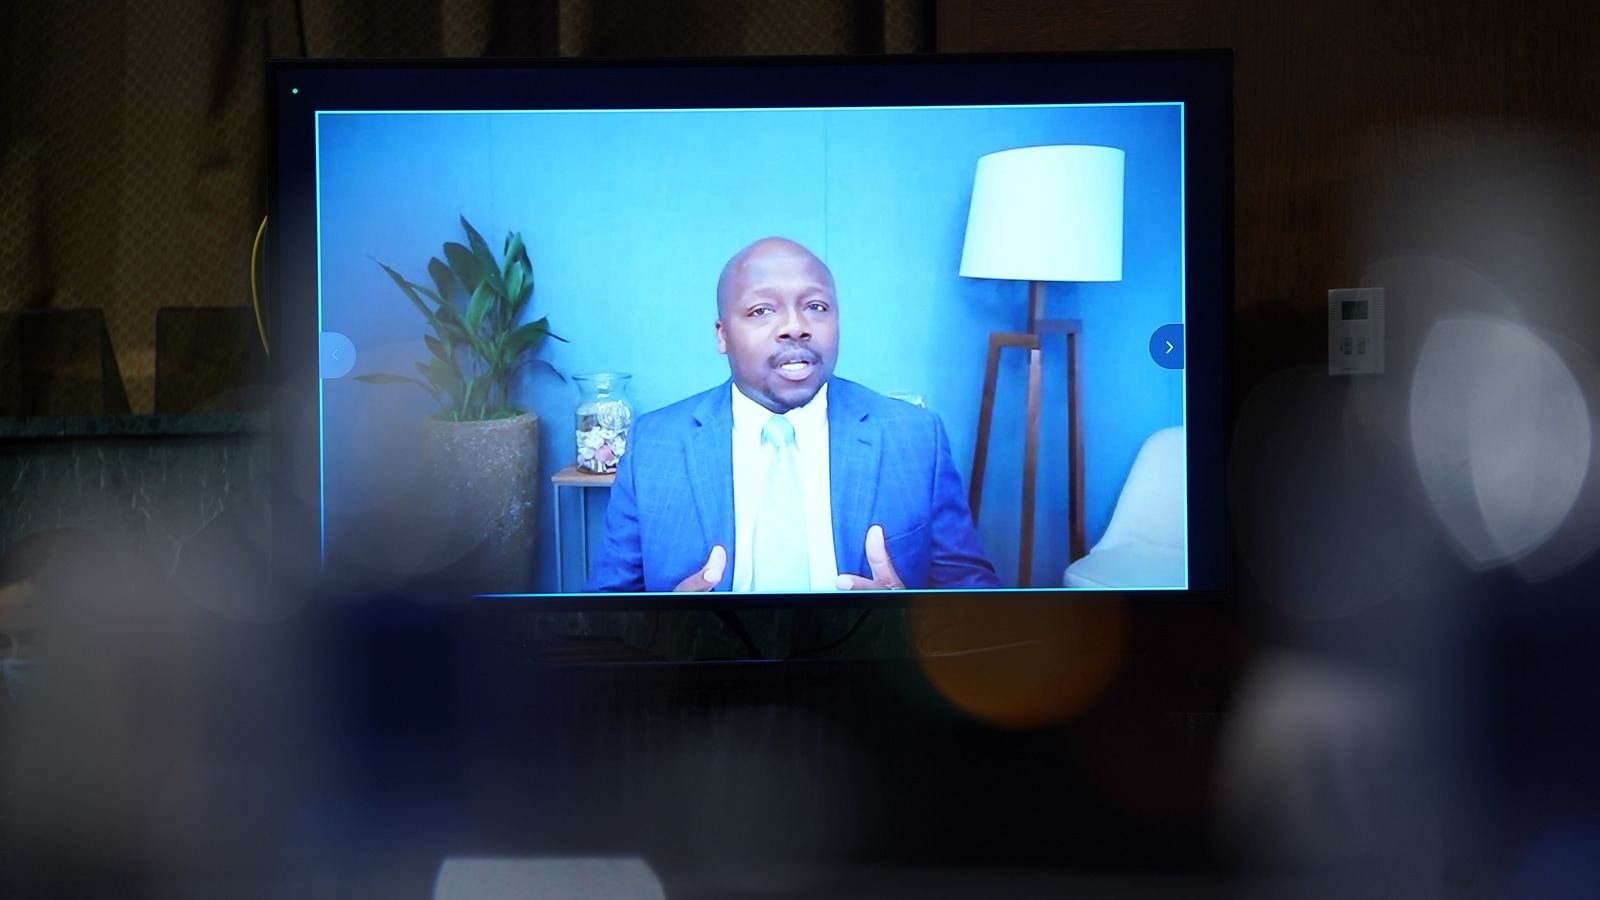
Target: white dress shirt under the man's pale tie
(750, 480)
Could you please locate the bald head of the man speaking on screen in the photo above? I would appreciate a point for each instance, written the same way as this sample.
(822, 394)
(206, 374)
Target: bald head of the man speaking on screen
(778, 323)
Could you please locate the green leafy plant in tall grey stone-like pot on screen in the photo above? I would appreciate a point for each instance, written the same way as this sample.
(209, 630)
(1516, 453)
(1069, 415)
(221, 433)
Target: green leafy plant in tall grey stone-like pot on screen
(481, 452)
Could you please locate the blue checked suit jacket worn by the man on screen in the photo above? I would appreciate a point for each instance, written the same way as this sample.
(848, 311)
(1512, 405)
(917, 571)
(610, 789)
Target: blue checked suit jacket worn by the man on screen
(889, 464)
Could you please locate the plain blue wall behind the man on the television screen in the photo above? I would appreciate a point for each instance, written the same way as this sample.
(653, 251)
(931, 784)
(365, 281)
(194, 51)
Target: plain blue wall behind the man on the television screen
(630, 219)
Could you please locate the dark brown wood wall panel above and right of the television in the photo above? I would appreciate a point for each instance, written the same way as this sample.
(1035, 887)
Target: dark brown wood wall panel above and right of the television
(1340, 108)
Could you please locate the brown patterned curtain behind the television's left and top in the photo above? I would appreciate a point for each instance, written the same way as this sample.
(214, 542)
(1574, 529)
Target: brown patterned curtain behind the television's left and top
(132, 131)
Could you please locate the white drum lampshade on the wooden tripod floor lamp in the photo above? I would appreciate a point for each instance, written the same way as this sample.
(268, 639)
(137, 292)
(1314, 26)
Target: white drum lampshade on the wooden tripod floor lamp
(1047, 215)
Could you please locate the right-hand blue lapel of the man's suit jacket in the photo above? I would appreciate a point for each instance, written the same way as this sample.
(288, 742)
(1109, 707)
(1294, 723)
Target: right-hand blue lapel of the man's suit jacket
(855, 448)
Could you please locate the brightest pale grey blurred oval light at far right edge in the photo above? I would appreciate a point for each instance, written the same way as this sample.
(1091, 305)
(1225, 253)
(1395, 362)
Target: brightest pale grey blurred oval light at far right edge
(1502, 436)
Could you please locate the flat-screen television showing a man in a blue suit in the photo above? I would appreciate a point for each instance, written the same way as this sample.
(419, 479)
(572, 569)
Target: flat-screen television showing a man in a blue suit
(807, 270)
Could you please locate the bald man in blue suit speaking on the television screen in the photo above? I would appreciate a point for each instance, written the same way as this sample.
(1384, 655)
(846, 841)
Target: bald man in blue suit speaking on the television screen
(786, 478)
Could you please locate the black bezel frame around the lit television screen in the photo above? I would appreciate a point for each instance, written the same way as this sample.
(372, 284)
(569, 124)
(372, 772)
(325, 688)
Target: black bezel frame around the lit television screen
(1201, 79)
